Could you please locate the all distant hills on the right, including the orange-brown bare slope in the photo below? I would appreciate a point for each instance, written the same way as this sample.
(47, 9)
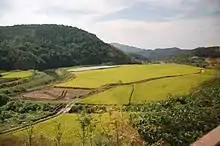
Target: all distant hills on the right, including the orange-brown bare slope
(201, 56)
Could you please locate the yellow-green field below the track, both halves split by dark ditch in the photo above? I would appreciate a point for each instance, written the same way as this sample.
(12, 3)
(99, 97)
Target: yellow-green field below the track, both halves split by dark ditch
(148, 91)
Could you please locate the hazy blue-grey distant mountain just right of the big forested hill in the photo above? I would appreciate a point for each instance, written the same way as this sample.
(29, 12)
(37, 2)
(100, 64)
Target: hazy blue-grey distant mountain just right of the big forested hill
(157, 54)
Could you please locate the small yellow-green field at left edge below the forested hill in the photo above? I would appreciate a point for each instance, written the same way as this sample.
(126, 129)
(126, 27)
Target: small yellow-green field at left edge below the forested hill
(16, 74)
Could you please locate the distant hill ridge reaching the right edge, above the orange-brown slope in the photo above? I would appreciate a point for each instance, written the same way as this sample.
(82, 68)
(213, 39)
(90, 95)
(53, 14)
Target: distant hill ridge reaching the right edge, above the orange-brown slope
(161, 54)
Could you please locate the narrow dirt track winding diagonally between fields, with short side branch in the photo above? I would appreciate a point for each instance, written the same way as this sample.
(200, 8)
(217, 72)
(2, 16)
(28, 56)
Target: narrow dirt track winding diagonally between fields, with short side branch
(67, 108)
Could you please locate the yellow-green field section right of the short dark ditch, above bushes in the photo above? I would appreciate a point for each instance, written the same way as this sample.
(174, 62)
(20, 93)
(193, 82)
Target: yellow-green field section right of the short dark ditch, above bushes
(159, 90)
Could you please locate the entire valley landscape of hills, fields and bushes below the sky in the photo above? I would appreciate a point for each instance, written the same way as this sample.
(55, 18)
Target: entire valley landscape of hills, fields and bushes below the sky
(63, 86)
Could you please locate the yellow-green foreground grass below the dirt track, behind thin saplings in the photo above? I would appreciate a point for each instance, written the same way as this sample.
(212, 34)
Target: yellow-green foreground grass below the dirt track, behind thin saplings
(70, 126)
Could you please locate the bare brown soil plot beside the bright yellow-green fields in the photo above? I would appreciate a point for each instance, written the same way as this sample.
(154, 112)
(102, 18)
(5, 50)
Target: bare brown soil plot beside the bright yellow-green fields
(53, 93)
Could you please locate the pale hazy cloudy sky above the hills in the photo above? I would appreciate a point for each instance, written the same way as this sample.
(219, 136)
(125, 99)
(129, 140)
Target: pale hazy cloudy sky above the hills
(142, 23)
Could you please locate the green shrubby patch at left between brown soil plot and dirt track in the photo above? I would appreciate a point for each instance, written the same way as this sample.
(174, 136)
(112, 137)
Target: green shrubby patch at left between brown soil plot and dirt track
(15, 113)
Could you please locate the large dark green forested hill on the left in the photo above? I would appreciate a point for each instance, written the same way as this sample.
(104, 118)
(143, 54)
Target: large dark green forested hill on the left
(52, 46)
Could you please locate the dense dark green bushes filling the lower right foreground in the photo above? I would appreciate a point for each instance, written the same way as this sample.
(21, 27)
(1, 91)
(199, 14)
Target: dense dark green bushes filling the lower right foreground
(179, 120)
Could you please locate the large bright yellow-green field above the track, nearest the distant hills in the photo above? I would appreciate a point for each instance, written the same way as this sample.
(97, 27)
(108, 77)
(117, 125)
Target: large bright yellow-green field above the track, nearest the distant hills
(126, 73)
